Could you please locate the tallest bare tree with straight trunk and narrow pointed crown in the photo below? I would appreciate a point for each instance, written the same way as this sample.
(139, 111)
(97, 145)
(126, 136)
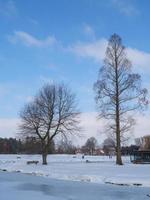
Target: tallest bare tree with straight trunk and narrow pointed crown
(118, 92)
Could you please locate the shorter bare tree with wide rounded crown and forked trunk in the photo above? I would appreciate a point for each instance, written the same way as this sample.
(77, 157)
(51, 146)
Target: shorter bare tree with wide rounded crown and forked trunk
(52, 112)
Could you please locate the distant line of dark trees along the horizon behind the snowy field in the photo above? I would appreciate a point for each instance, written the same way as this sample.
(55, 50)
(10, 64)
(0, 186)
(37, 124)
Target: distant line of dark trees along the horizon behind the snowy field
(33, 146)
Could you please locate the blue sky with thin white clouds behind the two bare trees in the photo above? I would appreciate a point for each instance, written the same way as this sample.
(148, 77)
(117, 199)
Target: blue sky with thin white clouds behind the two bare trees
(65, 40)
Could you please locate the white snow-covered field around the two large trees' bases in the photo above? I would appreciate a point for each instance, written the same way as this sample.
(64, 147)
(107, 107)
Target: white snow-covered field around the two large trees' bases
(98, 169)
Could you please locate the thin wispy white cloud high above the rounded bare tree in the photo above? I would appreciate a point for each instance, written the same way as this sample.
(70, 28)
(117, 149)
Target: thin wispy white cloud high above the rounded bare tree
(29, 40)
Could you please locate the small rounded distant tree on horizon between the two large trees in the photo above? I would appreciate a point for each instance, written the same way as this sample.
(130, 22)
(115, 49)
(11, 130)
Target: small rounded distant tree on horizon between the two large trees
(90, 145)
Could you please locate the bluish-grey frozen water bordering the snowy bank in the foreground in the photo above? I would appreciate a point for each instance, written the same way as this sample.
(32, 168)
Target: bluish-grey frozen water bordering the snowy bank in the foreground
(16, 186)
